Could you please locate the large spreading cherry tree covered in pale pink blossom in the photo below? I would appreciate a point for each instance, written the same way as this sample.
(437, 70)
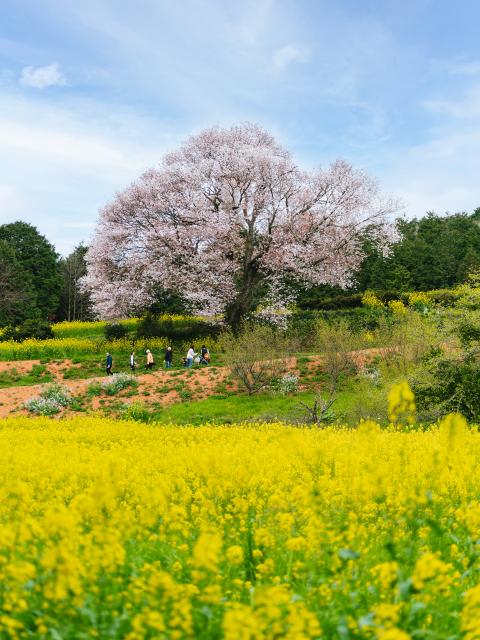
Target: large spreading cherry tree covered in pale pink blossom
(226, 220)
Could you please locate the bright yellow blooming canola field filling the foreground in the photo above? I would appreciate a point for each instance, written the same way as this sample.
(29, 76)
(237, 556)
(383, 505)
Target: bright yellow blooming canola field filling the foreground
(124, 530)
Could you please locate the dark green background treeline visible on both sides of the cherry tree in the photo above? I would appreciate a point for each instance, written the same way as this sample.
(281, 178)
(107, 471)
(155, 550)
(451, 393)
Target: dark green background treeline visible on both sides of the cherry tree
(435, 252)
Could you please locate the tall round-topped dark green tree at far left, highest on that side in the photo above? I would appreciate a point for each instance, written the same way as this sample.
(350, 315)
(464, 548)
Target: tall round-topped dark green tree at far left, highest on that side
(38, 258)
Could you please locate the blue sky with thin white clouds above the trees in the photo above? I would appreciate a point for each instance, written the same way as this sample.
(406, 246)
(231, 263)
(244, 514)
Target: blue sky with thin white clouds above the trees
(93, 92)
